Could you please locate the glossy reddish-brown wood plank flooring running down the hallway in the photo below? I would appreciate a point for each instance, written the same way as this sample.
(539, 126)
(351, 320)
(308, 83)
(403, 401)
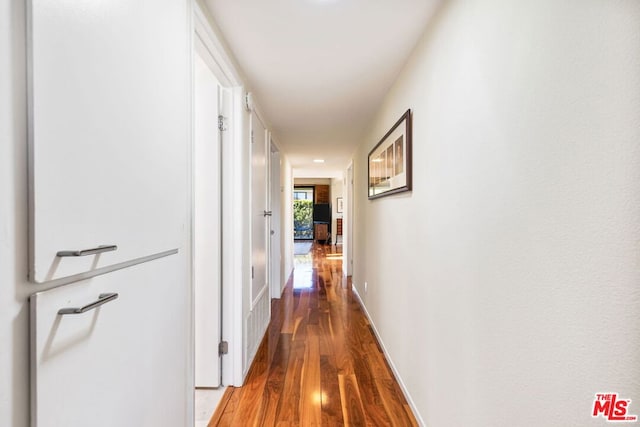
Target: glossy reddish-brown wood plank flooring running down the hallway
(319, 363)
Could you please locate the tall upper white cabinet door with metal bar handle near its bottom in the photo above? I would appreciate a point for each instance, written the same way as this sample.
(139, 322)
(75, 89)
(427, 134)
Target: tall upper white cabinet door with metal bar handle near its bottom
(109, 117)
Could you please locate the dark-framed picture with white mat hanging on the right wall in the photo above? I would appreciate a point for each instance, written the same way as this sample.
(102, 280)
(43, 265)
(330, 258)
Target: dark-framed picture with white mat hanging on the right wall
(389, 162)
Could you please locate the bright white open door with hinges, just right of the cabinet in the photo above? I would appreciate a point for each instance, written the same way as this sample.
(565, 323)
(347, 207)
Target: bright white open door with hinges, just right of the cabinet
(206, 226)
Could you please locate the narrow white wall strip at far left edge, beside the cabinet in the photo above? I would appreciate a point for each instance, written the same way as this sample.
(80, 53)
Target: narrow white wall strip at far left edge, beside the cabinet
(14, 288)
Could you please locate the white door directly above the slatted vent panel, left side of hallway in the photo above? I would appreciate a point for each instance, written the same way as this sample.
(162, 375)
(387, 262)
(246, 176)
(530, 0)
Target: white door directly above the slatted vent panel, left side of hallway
(259, 211)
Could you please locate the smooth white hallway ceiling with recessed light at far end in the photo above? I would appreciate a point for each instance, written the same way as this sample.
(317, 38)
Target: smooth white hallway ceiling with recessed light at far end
(318, 69)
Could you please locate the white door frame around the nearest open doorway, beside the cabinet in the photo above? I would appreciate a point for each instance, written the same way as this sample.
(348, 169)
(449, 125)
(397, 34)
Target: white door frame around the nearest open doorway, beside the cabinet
(206, 40)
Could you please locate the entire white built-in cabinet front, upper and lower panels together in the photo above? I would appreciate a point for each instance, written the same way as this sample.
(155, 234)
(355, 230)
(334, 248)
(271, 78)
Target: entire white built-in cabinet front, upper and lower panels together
(110, 127)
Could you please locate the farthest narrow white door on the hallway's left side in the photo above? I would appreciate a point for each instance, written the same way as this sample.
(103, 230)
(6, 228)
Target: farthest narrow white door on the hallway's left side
(275, 252)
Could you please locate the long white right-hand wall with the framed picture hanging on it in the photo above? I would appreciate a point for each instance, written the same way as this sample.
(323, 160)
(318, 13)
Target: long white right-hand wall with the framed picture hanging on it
(505, 286)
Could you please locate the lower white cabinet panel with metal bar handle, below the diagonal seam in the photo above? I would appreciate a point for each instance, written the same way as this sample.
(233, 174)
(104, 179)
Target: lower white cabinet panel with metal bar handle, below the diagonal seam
(120, 364)
